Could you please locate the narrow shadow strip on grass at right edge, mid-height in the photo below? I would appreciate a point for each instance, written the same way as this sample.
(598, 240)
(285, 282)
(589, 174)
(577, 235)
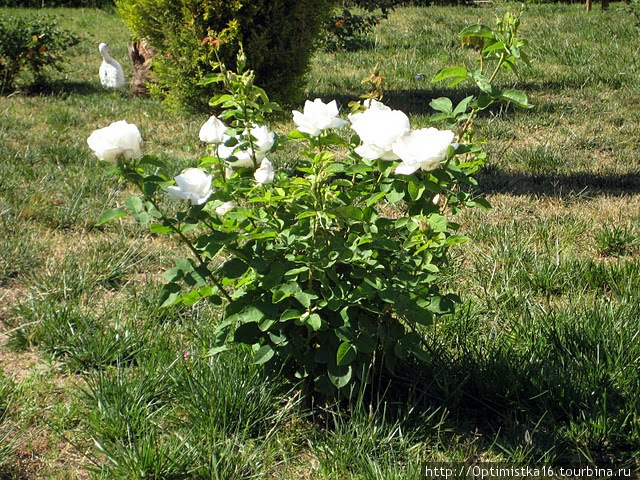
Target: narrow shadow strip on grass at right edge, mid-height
(495, 180)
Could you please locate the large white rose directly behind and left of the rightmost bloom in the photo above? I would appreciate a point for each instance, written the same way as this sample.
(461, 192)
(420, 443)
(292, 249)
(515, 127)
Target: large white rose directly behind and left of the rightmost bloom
(379, 128)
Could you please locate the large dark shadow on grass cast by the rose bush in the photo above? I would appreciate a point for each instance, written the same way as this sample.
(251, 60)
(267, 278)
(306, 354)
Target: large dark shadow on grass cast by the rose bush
(522, 408)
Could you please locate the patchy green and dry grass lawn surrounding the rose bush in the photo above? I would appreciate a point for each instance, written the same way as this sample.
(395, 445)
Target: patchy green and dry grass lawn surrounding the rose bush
(540, 364)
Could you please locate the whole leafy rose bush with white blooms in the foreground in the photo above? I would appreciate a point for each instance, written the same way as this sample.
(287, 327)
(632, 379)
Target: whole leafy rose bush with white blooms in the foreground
(332, 264)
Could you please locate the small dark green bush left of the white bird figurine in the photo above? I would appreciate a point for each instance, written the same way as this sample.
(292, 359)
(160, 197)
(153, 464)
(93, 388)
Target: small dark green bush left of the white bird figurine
(30, 44)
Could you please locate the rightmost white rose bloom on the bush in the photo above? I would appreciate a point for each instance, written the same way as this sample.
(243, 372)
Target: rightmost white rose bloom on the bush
(422, 149)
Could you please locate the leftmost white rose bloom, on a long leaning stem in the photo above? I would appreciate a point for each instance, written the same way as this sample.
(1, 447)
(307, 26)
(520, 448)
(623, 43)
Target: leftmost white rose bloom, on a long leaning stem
(119, 138)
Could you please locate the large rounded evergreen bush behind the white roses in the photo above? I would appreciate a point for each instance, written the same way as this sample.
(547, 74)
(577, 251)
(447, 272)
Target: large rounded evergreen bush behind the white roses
(278, 38)
